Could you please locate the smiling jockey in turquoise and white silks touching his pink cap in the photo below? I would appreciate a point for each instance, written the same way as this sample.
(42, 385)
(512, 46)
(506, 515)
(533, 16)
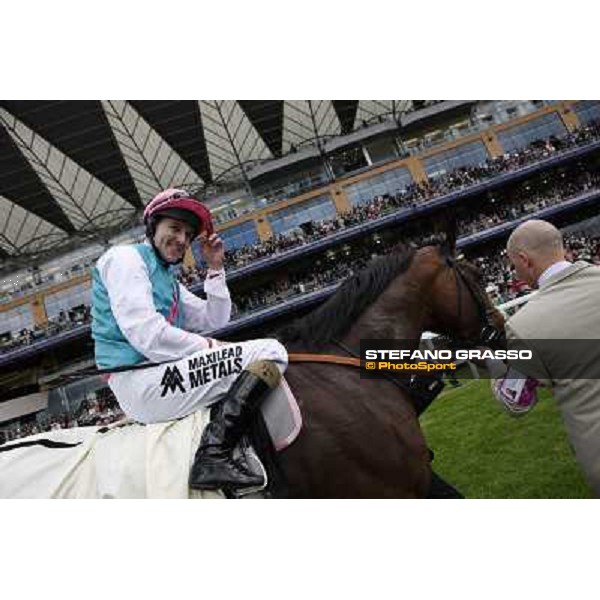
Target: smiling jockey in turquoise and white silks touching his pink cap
(141, 313)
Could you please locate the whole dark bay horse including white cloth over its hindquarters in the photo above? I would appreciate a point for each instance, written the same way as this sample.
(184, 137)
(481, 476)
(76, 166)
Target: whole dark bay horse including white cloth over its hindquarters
(360, 438)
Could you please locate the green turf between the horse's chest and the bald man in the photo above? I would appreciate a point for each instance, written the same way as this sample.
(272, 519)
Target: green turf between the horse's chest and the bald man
(486, 453)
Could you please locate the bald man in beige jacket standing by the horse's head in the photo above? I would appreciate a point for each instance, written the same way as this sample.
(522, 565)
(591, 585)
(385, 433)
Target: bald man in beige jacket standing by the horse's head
(566, 307)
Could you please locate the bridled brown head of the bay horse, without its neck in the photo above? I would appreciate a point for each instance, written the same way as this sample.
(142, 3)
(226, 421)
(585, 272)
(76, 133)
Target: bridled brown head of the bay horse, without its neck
(459, 305)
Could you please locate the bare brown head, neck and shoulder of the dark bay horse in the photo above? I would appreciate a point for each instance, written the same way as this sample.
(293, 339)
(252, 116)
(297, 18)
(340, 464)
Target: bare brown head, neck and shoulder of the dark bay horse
(361, 438)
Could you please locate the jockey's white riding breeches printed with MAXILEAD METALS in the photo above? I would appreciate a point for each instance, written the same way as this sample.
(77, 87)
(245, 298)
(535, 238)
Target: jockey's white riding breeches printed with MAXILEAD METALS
(176, 389)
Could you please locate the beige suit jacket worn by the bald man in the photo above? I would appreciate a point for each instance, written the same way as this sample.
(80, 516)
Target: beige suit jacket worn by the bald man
(567, 307)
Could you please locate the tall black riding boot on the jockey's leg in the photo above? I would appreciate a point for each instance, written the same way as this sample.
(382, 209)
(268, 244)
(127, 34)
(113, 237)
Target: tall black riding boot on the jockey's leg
(214, 466)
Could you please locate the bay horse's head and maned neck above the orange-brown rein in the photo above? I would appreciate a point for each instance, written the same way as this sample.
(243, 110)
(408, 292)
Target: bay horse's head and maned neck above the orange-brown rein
(398, 297)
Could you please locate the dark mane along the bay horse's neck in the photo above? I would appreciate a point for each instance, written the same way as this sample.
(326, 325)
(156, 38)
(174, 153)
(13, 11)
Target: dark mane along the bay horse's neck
(331, 320)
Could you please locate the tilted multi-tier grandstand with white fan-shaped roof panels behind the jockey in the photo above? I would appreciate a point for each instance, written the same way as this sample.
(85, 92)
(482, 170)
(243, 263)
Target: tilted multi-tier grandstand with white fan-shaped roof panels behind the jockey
(303, 192)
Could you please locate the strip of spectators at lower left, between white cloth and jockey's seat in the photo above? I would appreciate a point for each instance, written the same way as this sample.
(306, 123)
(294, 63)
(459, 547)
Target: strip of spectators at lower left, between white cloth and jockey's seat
(100, 409)
